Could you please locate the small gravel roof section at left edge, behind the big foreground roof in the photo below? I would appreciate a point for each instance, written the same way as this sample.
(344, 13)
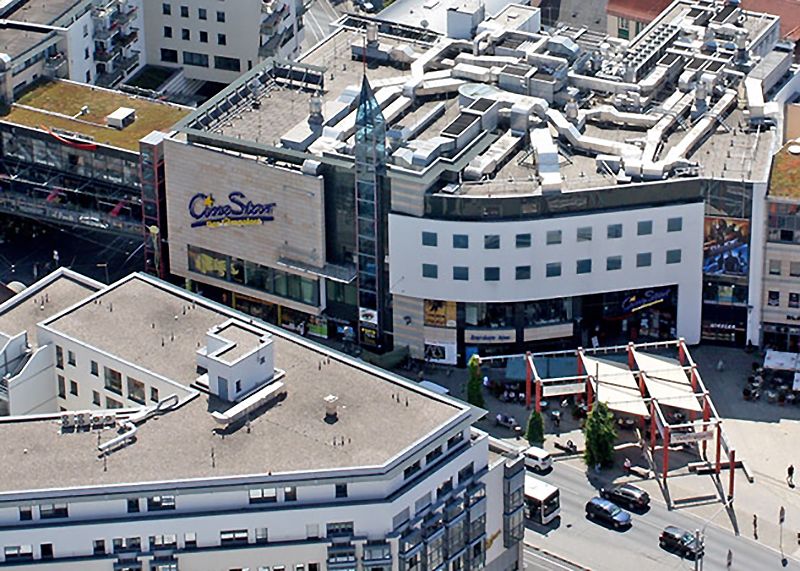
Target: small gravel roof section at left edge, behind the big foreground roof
(51, 296)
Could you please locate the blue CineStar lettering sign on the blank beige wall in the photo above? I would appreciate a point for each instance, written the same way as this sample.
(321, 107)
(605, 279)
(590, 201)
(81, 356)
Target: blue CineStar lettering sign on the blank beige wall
(237, 211)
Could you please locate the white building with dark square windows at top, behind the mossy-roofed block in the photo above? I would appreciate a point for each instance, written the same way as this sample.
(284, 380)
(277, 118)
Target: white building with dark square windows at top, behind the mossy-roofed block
(217, 41)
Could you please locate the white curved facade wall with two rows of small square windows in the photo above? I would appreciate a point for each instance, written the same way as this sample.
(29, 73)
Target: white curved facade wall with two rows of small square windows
(407, 254)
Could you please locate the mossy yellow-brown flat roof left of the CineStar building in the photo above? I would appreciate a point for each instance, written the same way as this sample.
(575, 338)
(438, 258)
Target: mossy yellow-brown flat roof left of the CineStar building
(57, 105)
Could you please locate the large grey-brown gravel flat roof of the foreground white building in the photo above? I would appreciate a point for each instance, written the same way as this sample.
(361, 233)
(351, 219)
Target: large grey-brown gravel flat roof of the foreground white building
(380, 415)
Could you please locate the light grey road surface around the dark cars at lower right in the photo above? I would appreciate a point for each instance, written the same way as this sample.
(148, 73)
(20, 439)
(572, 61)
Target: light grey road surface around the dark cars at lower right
(593, 546)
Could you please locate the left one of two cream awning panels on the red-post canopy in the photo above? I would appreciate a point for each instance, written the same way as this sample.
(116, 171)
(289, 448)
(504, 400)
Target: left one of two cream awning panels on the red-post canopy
(615, 385)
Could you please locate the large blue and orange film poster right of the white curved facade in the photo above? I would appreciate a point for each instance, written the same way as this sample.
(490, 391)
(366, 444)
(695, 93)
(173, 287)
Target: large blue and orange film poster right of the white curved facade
(726, 246)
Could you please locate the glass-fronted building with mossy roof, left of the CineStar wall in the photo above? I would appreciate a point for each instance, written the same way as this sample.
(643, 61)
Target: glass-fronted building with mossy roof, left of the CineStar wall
(83, 156)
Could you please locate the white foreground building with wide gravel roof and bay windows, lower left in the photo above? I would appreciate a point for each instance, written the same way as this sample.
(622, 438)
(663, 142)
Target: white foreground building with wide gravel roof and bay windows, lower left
(191, 436)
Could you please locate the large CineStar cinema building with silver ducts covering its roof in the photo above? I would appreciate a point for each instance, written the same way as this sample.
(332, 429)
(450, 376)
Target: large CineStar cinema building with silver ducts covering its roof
(534, 188)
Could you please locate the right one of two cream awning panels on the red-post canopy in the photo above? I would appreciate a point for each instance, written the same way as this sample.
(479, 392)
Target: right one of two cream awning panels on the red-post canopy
(666, 381)
